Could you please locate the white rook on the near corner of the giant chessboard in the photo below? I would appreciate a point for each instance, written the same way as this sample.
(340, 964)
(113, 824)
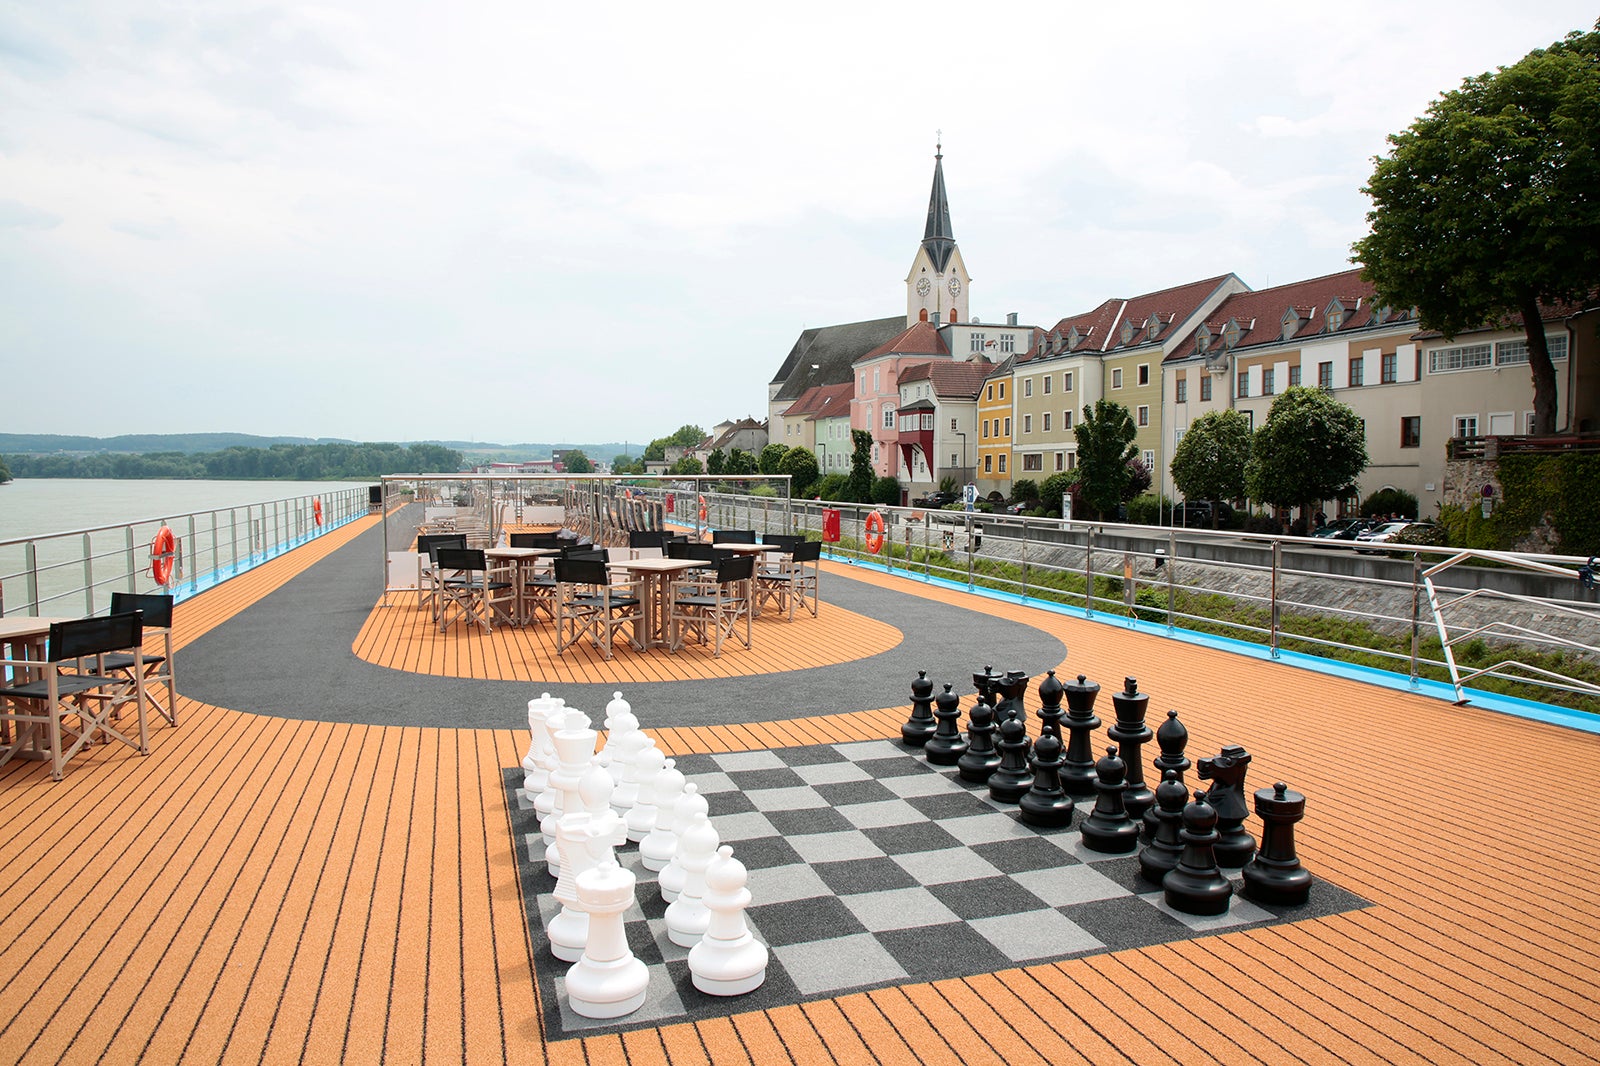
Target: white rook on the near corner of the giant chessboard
(607, 982)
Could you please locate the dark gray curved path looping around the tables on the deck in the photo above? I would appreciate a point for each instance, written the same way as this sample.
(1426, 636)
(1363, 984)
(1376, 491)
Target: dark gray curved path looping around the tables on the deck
(289, 655)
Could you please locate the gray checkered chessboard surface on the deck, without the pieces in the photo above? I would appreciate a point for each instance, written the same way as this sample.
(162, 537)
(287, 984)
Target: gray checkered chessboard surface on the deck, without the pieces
(868, 868)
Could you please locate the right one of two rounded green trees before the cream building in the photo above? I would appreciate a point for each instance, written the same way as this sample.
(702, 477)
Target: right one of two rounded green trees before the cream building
(1311, 449)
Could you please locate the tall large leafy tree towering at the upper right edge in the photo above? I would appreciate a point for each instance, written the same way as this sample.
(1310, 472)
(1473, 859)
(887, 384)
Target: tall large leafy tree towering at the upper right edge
(1490, 202)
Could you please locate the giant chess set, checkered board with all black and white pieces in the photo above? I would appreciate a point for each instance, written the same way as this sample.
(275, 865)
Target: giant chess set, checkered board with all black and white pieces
(666, 891)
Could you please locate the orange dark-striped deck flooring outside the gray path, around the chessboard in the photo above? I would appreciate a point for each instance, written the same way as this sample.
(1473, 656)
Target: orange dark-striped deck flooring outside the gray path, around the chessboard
(271, 891)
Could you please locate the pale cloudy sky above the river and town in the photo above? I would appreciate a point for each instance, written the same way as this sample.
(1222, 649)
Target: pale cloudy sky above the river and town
(567, 223)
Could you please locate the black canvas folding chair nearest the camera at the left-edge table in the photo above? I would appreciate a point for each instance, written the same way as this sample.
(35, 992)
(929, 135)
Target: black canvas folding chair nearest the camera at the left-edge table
(71, 703)
